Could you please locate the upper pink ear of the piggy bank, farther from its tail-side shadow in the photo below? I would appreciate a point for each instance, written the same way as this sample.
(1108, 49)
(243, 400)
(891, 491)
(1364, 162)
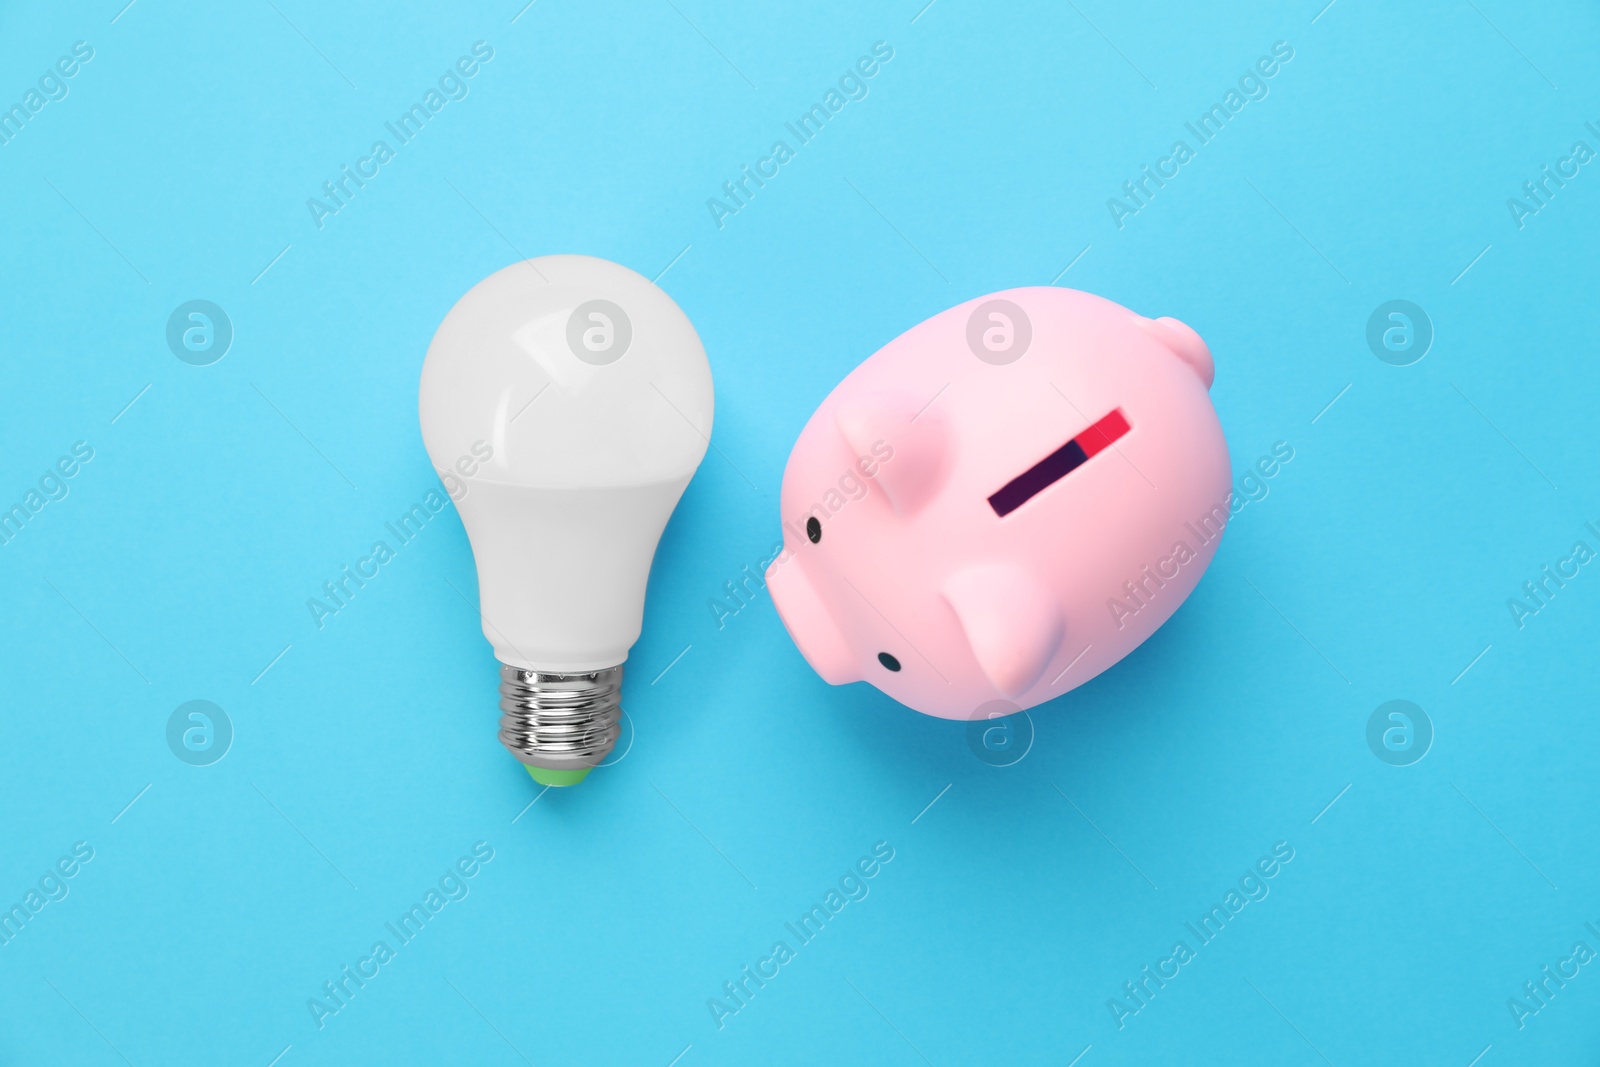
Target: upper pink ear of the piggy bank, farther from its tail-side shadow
(906, 444)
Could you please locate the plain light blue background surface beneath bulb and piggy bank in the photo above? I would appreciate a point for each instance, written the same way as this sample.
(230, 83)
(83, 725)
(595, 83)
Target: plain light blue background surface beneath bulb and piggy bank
(366, 761)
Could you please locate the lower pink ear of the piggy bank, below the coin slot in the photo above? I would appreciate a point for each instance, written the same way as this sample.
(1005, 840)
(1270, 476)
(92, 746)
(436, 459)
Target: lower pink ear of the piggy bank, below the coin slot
(1012, 623)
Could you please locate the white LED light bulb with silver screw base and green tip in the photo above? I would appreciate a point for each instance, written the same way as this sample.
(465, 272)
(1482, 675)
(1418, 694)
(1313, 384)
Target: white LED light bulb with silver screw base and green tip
(566, 402)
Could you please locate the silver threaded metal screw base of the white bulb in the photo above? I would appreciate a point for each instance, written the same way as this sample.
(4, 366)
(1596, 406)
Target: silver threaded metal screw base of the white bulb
(561, 722)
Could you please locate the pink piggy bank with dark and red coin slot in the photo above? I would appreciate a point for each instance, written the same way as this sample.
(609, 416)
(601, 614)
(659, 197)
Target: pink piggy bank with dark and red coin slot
(1002, 503)
